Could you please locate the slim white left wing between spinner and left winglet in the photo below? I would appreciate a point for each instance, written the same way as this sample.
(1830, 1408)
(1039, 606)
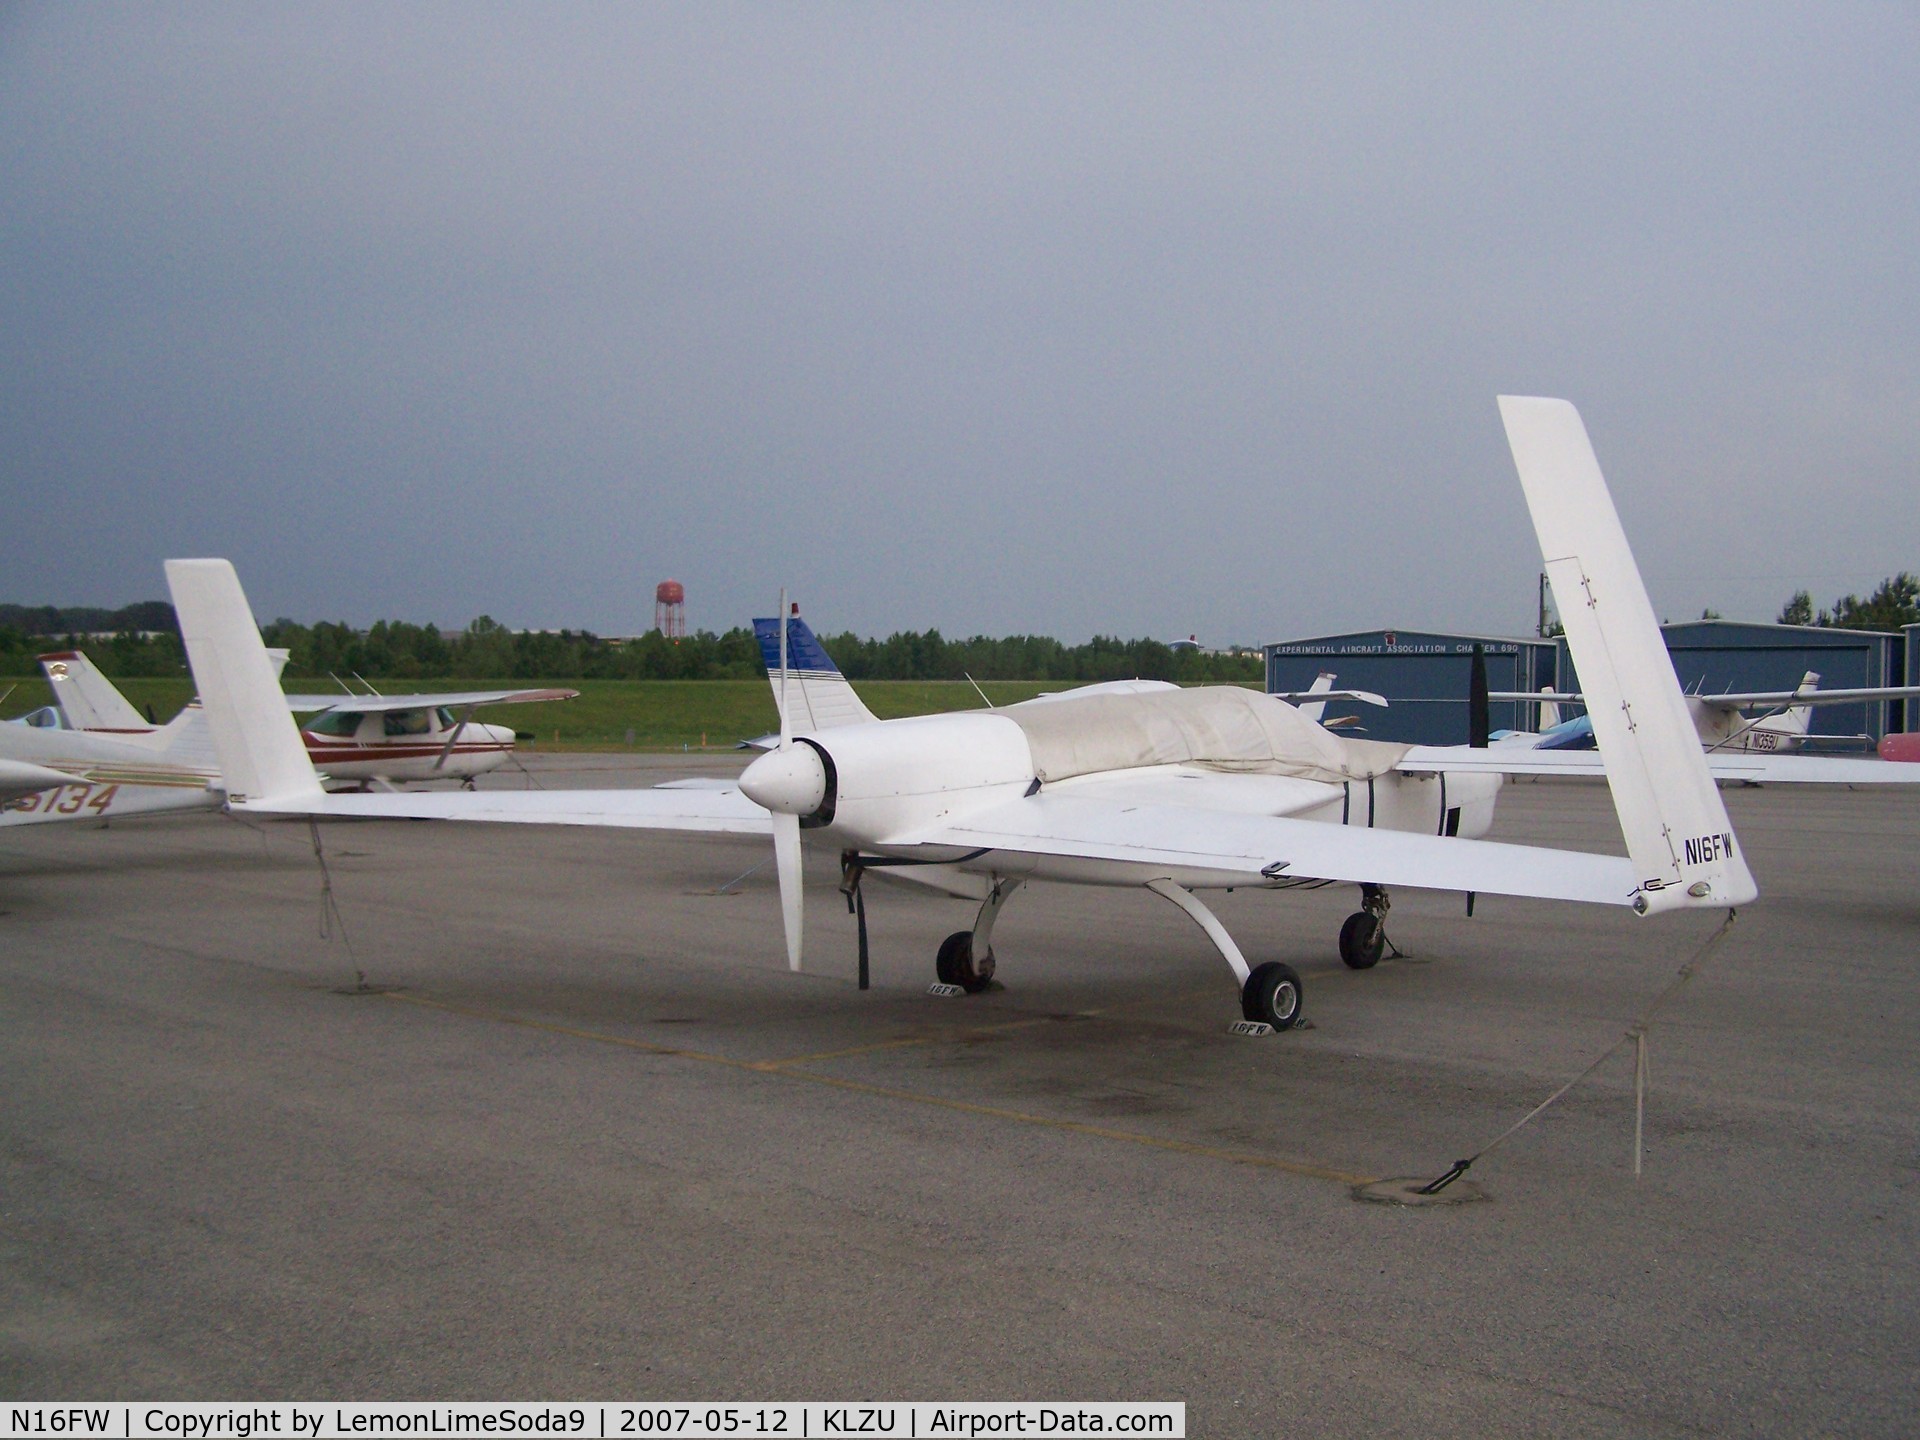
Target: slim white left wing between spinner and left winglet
(719, 809)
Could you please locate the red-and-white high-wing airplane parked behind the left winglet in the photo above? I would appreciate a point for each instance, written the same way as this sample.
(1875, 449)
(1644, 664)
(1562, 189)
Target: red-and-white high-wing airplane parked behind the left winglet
(354, 740)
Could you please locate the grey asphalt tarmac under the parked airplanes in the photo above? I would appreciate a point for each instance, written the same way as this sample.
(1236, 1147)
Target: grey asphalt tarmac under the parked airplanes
(581, 1136)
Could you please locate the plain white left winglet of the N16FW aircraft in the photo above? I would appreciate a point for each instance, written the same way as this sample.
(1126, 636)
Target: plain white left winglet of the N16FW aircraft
(260, 750)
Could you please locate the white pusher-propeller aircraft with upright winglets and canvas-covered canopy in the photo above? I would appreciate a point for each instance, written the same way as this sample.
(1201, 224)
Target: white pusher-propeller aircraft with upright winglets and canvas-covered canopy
(1170, 790)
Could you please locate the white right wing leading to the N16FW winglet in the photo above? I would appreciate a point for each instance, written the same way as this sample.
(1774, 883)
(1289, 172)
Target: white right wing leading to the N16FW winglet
(1199, 848)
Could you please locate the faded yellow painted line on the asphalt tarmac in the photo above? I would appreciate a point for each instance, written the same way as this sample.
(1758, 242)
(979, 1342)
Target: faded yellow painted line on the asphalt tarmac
(790, 1070)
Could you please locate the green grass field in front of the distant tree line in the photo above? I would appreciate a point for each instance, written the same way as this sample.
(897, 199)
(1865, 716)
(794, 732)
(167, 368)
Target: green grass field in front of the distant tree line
(612, 715)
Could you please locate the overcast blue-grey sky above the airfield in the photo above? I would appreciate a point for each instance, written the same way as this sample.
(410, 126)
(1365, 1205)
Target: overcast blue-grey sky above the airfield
(1065, 320)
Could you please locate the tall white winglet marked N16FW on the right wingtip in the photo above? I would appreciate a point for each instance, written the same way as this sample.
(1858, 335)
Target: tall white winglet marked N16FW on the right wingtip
(1671, 813)
